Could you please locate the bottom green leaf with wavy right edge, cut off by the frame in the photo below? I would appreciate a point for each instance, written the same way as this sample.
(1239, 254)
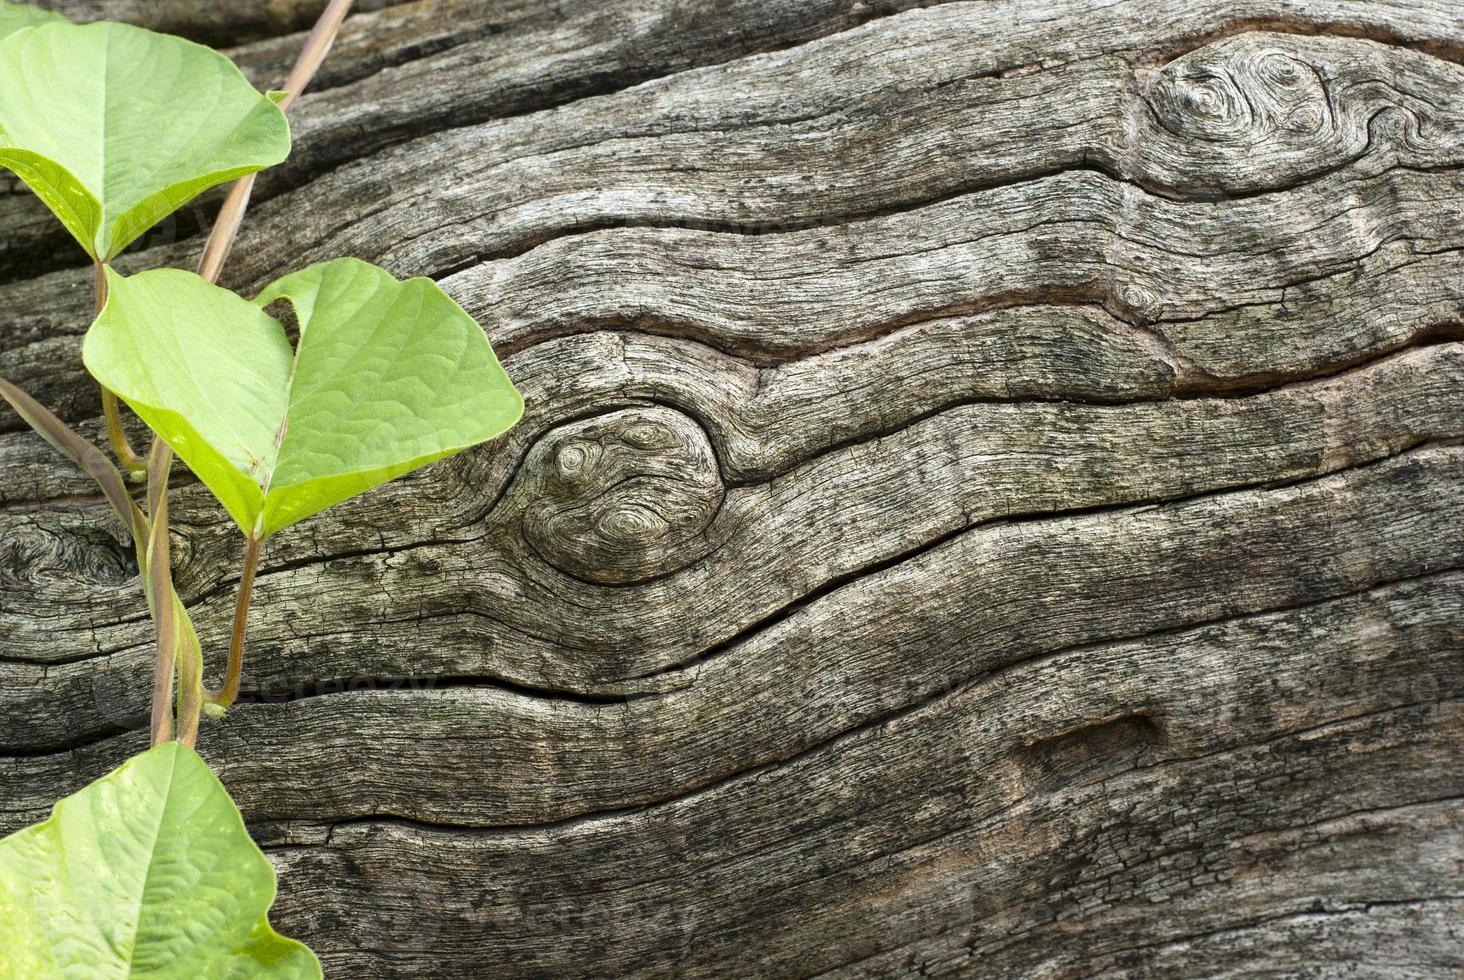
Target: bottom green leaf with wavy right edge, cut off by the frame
(147, 872)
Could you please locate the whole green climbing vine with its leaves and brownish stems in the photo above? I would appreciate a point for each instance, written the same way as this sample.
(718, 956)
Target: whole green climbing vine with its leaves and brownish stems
(115, 128)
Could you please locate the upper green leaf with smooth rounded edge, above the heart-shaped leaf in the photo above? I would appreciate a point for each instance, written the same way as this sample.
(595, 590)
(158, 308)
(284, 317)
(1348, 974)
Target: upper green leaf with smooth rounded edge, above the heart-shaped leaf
(115, 128)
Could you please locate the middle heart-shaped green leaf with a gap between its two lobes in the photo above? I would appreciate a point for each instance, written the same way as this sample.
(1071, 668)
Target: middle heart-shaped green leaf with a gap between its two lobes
(387, 377)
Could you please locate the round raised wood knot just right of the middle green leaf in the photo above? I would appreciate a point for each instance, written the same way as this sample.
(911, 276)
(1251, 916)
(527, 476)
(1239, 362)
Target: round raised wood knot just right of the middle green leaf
(623, 497)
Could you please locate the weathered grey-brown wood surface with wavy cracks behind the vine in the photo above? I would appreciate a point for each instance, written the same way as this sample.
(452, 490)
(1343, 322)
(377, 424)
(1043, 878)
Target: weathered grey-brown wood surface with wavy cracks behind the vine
(989, 500)
